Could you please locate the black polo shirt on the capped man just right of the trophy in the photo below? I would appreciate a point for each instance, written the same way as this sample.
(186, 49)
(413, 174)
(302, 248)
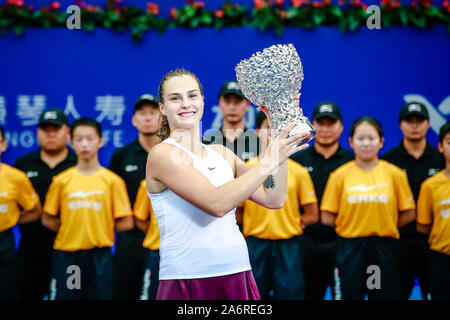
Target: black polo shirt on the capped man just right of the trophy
(320, 168)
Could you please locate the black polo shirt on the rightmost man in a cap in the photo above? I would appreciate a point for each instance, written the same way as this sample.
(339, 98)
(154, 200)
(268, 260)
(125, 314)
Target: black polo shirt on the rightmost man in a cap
(418, 170)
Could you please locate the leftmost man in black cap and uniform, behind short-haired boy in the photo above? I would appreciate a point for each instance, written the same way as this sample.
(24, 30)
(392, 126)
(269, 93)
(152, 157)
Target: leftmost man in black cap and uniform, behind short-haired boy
(35, 247)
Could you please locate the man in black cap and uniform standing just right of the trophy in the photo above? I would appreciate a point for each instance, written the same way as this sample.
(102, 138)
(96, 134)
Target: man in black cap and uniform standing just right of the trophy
(319, 240)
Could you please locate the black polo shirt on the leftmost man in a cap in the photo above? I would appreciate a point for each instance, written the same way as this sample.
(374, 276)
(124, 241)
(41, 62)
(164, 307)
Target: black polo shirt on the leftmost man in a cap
(35, 238)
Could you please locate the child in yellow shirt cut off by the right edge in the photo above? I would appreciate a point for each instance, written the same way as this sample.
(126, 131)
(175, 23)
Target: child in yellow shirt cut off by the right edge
(433, 218)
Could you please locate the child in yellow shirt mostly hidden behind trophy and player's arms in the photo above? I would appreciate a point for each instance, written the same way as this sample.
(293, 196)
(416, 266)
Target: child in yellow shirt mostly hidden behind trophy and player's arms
(273, 236)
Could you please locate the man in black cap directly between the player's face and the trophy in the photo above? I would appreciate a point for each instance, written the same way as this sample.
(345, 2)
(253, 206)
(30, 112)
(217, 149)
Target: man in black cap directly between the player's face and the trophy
(234, 134)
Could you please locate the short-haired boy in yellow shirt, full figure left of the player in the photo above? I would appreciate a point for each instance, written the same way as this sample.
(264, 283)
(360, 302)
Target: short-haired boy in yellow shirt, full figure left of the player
(85, 204)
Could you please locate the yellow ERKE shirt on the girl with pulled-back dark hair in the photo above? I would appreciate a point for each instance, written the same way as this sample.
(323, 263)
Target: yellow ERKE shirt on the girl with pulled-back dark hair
(367, 202)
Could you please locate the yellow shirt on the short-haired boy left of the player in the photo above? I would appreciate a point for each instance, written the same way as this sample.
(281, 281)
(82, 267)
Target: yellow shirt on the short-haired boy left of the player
(88, 206)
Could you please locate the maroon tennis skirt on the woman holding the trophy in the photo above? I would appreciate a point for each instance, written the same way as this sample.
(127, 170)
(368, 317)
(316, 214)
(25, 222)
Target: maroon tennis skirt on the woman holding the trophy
(237, 286)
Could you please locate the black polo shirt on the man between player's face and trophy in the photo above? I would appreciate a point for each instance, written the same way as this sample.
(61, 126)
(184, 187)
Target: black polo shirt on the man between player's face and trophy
(246, 146)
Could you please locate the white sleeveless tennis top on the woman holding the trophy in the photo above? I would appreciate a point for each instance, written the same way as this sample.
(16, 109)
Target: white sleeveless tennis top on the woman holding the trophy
(194, 244)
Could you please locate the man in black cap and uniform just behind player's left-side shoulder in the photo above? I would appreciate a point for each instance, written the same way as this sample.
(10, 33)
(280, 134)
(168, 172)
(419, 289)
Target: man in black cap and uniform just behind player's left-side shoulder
(129, 163)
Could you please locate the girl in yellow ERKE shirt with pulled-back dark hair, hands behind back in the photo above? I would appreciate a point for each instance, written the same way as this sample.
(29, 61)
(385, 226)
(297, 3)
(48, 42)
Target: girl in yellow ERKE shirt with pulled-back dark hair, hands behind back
(367, 200)
